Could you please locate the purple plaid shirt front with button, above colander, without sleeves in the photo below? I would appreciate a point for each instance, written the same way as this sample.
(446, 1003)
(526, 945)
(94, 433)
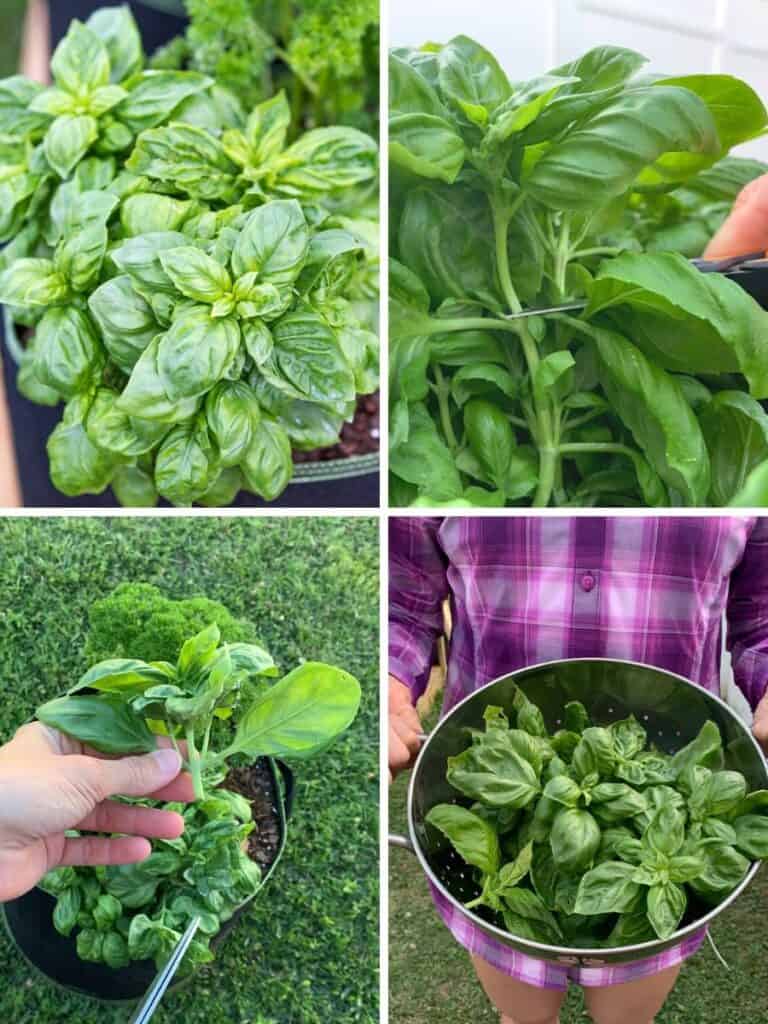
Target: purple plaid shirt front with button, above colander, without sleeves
(531, 590)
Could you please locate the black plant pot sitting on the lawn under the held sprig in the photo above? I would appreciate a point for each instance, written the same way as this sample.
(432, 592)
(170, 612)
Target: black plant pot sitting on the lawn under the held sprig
(29, 922)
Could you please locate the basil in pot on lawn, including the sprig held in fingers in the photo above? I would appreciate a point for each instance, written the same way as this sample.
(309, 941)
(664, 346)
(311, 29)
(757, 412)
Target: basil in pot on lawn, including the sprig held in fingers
(216, 705)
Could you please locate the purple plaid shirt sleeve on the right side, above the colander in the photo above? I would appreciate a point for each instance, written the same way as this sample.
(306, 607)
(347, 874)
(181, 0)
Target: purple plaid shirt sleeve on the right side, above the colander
(748, 617)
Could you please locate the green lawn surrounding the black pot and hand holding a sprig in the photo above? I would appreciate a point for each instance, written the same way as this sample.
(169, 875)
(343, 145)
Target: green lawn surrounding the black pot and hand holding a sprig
(308, 952)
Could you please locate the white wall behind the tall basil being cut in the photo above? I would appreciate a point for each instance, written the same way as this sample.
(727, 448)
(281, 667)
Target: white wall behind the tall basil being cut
(529, 36)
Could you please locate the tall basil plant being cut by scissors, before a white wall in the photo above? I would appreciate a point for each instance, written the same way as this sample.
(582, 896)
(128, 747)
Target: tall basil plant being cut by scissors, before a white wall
(587, 188)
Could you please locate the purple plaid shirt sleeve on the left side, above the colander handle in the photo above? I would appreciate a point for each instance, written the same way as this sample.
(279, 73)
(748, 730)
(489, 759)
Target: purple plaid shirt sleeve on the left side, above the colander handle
(418, 585)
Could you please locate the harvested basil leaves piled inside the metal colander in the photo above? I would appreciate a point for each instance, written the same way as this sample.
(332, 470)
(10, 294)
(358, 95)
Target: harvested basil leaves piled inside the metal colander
(592, 838)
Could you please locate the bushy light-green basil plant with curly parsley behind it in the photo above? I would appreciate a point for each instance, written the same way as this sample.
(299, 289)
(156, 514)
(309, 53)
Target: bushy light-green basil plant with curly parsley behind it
(200, 292)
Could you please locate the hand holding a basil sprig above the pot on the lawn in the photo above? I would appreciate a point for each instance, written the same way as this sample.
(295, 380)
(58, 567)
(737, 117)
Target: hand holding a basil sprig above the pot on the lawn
(51, 784)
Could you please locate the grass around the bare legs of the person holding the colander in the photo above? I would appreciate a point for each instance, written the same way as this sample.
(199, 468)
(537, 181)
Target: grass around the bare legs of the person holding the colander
(432, 979)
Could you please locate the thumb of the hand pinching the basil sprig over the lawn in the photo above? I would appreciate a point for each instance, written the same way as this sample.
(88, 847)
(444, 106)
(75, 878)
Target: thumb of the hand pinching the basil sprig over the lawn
(134, 777)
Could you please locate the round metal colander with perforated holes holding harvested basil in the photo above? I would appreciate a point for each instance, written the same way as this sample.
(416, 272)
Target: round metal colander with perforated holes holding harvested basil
(672, 710)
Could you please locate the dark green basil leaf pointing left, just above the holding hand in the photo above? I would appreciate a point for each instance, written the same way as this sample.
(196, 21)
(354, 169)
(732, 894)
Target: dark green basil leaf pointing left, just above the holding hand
(103, 722)
